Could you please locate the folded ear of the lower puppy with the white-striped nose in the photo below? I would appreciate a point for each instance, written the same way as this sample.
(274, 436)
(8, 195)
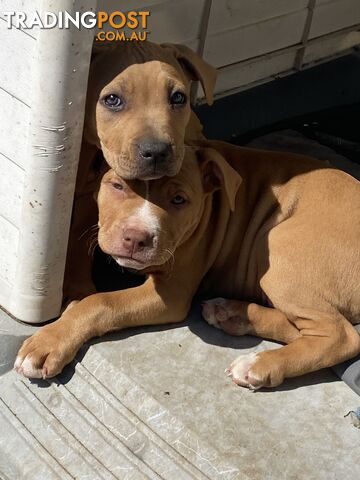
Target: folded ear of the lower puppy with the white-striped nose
(217, 173)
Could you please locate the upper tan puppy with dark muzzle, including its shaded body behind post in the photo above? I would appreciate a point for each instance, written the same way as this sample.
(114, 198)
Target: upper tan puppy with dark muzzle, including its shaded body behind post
(138, 113)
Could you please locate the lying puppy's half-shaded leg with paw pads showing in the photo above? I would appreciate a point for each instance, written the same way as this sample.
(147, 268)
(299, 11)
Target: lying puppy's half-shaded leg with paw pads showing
(242, 318)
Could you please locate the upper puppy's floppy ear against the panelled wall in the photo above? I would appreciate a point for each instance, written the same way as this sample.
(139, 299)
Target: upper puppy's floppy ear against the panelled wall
(197, 68)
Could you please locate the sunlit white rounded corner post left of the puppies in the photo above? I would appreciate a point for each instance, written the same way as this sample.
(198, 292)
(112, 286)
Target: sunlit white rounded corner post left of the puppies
(58, 90)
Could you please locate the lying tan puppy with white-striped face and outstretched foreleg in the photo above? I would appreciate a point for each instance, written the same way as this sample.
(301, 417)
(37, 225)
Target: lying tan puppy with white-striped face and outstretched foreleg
(277, 231)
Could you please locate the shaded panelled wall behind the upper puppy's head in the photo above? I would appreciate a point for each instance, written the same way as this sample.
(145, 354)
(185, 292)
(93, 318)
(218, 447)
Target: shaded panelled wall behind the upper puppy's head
(251, 41)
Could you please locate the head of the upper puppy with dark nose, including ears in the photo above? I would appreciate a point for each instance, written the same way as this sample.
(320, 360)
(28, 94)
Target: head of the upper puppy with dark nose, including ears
(138, 105)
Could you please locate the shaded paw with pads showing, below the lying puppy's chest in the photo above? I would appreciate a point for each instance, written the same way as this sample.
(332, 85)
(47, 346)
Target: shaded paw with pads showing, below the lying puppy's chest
(225, 314)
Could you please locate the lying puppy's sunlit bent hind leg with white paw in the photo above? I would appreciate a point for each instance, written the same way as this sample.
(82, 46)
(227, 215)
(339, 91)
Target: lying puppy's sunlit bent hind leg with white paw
(324, 341)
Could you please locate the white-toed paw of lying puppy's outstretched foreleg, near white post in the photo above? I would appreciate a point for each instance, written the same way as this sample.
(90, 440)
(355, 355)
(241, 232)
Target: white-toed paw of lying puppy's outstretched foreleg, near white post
(44, 354)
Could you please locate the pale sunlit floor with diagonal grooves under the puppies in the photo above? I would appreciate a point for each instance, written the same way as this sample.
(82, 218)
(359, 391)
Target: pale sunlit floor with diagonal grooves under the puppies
(154, 403)
